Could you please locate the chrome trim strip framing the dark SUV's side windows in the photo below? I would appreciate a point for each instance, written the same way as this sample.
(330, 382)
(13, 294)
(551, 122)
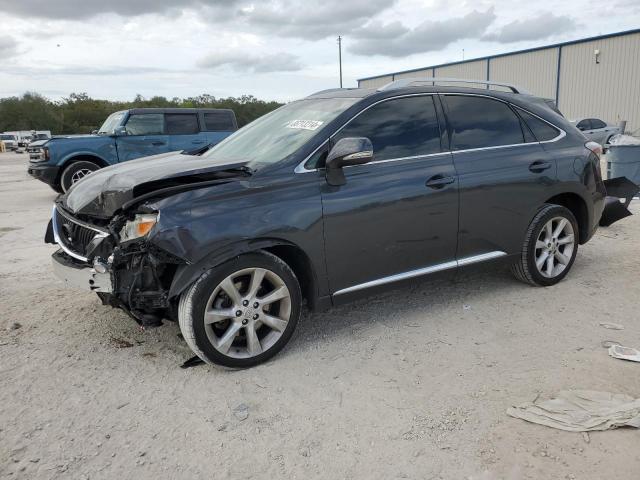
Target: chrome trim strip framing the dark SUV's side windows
(300, 168)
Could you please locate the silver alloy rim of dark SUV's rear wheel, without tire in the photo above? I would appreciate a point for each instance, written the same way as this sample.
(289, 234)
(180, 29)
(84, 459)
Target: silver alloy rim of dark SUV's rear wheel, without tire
(554, 247)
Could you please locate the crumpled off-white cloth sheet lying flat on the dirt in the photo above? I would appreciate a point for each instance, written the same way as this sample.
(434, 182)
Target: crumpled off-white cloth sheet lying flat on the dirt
(581, 411)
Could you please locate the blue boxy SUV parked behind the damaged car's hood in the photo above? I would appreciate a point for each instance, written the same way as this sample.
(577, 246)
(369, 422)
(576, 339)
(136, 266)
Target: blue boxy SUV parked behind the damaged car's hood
(126, 135)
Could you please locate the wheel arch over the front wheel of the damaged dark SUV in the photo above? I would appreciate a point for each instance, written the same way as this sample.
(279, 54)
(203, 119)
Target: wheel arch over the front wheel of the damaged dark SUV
(290, 253)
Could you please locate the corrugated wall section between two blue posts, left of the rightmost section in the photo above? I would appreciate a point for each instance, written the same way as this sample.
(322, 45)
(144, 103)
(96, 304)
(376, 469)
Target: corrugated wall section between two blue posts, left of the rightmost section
(536, 72)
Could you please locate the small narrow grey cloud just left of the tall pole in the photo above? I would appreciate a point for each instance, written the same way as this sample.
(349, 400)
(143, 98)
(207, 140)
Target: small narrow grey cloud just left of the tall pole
(252, 62)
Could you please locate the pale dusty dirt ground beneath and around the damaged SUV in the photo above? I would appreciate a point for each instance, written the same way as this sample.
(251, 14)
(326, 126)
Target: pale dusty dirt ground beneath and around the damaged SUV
(413, 384)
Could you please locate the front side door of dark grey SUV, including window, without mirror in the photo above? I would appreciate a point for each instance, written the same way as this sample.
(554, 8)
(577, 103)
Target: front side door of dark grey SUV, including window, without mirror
(397, 216)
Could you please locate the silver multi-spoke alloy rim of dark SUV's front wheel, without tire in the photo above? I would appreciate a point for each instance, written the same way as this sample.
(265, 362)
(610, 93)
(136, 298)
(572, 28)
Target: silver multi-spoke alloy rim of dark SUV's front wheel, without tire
(247, 312)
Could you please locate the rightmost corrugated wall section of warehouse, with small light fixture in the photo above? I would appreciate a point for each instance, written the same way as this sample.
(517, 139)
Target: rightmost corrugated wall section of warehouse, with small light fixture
(609, 90)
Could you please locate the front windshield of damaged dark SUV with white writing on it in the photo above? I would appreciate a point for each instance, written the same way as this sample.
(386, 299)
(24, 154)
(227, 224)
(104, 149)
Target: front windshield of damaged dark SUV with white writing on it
(280, 133)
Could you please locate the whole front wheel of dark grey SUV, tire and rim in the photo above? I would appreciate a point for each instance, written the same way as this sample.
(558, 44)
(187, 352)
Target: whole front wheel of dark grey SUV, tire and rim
(241, 313)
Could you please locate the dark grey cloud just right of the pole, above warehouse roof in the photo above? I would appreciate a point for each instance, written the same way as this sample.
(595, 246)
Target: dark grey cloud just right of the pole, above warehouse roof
(396, 40)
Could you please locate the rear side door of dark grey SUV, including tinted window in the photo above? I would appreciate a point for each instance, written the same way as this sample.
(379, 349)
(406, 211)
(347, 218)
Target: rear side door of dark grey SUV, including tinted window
(504, 174)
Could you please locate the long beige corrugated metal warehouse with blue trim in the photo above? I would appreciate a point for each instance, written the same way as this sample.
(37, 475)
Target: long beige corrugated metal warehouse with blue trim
(597, 77)
